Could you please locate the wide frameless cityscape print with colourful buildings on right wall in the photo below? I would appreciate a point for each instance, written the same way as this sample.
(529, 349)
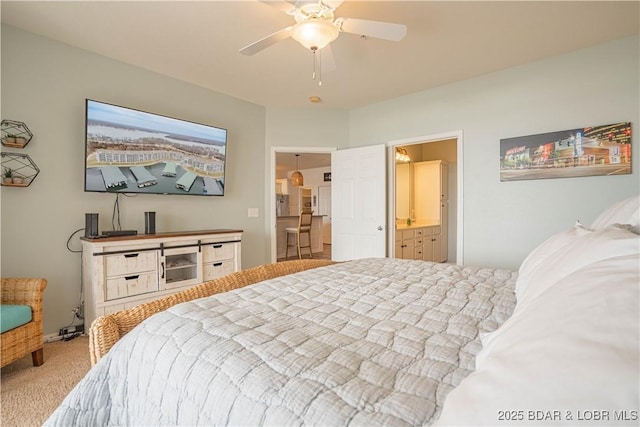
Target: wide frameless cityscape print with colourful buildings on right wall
(595, 150)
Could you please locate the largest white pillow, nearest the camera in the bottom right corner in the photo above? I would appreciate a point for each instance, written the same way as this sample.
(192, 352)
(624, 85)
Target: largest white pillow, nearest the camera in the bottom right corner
(571, 352)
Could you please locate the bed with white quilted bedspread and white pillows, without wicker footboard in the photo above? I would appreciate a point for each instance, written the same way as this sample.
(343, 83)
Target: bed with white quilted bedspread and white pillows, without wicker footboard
(392, 342)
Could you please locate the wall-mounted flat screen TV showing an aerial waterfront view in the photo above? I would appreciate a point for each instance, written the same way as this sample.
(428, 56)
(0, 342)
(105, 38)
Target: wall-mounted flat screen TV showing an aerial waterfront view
(131, 151)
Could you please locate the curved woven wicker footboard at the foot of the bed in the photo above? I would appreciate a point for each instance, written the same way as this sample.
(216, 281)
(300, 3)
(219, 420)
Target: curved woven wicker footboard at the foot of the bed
(106, 330)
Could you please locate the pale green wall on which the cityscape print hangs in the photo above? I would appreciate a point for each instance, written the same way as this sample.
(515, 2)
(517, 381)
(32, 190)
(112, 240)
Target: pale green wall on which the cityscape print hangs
(503, 221)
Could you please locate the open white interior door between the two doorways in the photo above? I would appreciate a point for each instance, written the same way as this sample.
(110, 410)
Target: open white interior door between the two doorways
(358, 194)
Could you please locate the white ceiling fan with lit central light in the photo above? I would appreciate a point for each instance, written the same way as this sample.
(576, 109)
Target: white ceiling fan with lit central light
(316, 27)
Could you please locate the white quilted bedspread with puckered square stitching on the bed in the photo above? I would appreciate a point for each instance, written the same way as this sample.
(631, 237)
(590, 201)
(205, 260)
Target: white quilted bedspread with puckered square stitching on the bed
(366, 342)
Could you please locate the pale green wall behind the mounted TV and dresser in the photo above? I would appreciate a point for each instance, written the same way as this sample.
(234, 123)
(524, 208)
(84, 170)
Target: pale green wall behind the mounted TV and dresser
(44, 84)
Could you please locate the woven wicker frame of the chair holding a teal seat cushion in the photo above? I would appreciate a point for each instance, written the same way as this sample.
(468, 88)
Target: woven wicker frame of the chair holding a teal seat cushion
(29, 338)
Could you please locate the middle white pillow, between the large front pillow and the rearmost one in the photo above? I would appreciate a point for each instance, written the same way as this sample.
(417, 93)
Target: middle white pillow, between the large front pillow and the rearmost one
(567, 252)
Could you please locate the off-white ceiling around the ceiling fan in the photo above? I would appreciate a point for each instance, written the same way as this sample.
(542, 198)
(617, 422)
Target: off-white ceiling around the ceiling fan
(447, 41)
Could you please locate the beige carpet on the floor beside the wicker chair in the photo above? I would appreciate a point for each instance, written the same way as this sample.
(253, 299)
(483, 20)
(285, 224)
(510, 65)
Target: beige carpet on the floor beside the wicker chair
(30, 394)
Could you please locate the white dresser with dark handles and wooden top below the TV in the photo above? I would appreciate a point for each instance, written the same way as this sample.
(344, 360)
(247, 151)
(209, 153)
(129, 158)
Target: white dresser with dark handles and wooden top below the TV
(121, 272)
